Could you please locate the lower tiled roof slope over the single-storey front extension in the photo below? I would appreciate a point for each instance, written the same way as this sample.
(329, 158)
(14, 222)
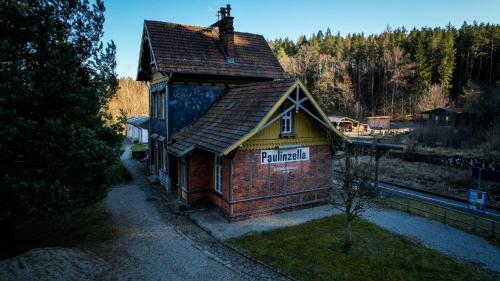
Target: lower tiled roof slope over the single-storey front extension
(232, 117)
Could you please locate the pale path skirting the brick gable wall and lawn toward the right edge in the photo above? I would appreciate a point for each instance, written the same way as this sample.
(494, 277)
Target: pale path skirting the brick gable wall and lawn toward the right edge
(447, 240)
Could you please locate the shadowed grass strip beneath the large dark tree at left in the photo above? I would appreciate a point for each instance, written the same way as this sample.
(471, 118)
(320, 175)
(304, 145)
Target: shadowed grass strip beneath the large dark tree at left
(84, 225)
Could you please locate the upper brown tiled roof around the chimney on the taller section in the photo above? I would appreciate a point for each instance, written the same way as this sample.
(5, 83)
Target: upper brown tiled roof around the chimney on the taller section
(196, 50)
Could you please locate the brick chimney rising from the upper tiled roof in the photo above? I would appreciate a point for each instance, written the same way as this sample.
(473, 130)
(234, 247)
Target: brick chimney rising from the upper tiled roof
(226, 32)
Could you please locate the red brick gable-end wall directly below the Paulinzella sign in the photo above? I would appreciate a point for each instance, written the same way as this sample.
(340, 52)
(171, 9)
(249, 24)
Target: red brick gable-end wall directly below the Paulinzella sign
(252, 180)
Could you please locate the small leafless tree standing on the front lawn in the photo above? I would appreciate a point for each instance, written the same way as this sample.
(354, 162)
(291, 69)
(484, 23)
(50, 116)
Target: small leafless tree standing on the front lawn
(353, 192)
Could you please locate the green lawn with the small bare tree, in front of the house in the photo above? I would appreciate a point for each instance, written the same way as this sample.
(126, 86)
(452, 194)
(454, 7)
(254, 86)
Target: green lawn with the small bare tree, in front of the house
(313, 251)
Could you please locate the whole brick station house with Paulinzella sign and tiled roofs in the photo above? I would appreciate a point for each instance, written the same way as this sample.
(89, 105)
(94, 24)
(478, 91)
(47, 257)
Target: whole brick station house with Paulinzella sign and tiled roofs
(228, 127)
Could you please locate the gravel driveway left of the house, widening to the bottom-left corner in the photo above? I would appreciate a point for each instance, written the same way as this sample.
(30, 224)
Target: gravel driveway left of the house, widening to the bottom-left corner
(152, 243)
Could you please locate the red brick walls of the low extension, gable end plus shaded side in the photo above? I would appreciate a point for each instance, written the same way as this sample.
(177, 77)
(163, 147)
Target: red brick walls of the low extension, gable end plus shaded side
(290, 185)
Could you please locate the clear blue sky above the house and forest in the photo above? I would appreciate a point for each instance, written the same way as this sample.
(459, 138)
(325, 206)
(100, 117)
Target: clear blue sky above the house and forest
(286, 18)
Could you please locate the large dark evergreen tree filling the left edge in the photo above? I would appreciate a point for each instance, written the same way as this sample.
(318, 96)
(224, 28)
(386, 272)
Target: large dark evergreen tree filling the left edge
(56, 80)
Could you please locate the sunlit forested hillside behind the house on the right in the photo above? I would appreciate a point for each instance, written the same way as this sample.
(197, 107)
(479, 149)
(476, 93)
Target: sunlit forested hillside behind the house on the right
(400, 72)
